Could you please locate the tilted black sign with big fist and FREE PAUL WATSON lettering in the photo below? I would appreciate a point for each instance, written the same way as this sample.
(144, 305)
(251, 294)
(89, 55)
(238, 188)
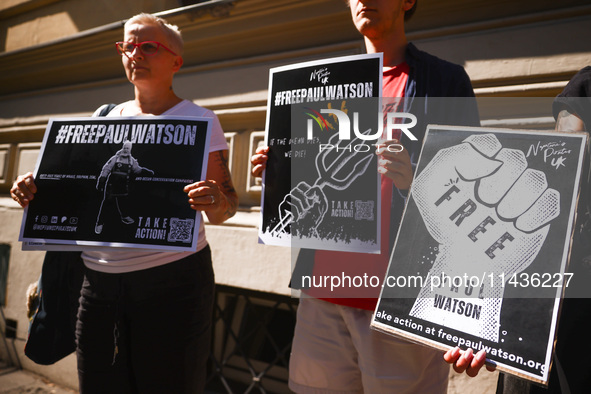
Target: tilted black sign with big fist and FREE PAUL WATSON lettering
(481, 256)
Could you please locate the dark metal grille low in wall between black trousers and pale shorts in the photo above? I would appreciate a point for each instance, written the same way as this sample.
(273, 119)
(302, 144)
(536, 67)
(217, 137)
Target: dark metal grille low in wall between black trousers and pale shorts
(252, 334)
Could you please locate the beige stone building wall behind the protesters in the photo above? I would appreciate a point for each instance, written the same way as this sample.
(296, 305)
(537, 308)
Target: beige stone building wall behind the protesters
(57, 58)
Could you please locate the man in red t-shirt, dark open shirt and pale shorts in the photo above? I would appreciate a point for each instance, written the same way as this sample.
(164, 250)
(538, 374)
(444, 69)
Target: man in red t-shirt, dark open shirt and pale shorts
(334, 349)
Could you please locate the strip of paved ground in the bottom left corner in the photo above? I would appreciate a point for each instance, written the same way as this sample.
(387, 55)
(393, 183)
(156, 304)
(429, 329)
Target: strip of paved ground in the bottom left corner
(15, 381)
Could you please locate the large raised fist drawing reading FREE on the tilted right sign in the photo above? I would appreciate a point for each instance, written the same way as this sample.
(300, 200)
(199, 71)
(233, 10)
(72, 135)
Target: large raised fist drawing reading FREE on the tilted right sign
(490, 215)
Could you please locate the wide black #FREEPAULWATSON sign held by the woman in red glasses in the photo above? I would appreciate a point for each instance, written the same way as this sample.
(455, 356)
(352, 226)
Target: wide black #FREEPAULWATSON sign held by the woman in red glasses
(118, 182)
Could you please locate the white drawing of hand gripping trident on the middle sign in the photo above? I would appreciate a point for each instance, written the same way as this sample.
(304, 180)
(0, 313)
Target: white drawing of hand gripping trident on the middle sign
(338, 166)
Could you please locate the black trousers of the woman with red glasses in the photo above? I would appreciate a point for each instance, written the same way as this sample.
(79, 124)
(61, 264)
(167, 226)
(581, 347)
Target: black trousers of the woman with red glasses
(147, 331)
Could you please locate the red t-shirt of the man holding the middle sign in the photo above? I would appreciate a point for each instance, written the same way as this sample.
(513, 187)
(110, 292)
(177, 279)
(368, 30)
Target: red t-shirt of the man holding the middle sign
(366, 271)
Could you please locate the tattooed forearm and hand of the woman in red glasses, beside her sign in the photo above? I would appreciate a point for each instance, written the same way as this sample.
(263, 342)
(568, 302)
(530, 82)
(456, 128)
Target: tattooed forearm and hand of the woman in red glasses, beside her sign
(216, 195)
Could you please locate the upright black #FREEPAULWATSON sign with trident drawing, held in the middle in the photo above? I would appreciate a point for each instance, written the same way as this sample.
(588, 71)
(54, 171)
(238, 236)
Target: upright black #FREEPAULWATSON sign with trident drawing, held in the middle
(321, 187)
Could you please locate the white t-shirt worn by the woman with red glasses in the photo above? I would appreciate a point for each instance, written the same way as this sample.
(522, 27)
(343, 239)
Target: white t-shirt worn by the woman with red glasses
(112, 260)
